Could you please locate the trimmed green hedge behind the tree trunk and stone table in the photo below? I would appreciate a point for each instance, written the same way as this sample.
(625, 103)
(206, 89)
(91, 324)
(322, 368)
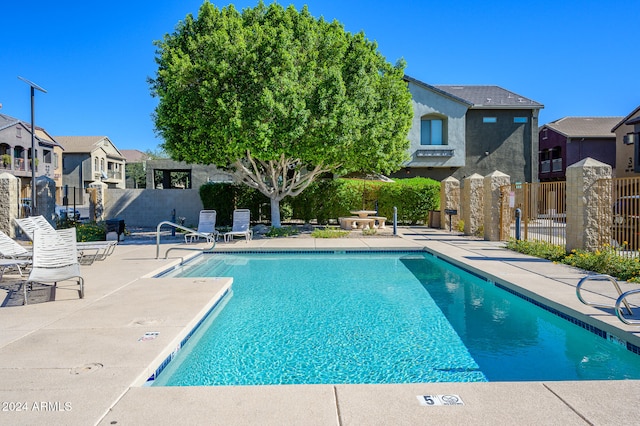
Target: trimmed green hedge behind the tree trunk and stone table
(328, 199)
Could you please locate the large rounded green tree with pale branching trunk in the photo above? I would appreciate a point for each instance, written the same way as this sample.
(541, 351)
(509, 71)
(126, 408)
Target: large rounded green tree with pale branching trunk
(278, 97)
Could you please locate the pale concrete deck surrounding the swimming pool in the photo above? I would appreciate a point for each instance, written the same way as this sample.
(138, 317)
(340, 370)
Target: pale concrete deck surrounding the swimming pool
(80, 362)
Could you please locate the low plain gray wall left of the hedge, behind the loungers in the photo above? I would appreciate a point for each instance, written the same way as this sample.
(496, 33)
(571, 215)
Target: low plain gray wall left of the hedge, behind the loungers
(148, 207)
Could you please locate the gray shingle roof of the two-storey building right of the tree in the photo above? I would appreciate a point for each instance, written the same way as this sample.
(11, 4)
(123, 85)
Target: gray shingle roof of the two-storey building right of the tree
(489, 96)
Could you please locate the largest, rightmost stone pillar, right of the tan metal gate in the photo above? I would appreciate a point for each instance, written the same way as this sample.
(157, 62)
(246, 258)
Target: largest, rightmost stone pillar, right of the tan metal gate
(584, 196)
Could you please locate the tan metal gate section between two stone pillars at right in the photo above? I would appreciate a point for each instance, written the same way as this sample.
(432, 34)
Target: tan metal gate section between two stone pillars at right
(542, 212)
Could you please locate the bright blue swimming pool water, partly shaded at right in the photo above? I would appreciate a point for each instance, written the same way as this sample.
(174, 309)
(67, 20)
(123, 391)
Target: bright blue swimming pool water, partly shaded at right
(379, 318)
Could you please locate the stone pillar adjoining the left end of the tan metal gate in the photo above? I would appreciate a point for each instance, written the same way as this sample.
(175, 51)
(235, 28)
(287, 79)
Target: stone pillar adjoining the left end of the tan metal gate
(493, 205)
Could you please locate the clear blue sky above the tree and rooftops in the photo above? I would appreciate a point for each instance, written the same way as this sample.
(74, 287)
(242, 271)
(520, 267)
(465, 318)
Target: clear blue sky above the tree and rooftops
(576, 57)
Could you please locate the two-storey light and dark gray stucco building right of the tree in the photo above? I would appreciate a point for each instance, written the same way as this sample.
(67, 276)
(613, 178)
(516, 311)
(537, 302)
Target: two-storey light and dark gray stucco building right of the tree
(459, 130)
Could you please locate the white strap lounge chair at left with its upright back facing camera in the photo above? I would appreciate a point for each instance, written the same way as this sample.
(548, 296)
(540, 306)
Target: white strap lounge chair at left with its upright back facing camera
(55, 259)
